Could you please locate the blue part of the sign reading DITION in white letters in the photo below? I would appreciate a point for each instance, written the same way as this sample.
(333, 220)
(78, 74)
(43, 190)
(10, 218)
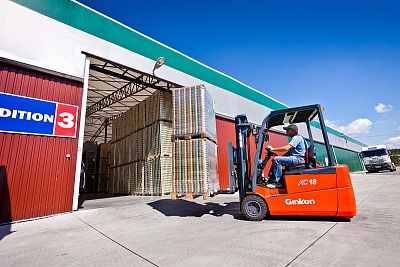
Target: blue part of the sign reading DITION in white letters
(26, 115)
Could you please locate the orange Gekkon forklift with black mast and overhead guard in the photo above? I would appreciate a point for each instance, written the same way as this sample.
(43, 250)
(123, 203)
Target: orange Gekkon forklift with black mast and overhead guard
(309, 189)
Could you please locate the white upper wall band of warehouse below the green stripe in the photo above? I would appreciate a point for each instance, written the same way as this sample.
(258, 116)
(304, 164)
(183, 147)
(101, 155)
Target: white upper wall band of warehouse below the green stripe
(41, 41)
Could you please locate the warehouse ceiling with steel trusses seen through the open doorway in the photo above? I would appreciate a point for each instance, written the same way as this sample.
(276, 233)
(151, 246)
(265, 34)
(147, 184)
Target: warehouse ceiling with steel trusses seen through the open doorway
(113, 89)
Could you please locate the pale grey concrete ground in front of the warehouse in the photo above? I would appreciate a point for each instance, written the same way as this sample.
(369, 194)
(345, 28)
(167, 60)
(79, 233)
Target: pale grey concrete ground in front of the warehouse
(146, 231)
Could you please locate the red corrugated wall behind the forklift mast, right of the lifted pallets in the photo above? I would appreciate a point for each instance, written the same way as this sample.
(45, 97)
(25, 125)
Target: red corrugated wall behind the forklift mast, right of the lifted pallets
(225, 134)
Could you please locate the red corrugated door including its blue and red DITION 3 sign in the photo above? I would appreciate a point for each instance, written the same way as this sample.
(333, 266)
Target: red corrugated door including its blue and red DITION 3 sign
(37, 162)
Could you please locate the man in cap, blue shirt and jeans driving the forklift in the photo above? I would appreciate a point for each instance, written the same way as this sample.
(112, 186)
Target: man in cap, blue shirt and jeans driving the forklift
(297, 148)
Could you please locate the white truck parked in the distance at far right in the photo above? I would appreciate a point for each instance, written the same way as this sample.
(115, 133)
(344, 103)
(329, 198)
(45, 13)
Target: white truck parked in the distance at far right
(377, 158)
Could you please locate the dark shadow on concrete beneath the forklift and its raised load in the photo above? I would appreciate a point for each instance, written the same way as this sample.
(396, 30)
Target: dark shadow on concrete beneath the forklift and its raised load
(184, 208)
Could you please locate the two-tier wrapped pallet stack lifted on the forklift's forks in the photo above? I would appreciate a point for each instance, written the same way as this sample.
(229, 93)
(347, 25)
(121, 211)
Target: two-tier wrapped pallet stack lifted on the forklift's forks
(194, 143)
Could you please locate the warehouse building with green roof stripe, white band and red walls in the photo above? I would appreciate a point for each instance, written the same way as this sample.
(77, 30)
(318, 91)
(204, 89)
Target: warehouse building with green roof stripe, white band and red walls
(67, 72)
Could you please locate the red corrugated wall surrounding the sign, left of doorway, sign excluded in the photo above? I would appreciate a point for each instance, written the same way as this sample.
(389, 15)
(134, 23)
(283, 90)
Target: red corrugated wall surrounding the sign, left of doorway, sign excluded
(36, 179)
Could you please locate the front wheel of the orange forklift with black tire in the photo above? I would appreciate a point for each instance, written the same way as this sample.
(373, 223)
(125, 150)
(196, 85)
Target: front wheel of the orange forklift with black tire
(254, 208)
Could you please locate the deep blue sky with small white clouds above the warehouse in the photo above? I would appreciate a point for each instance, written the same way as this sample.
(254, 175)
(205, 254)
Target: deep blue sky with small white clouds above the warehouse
(344, 55)
